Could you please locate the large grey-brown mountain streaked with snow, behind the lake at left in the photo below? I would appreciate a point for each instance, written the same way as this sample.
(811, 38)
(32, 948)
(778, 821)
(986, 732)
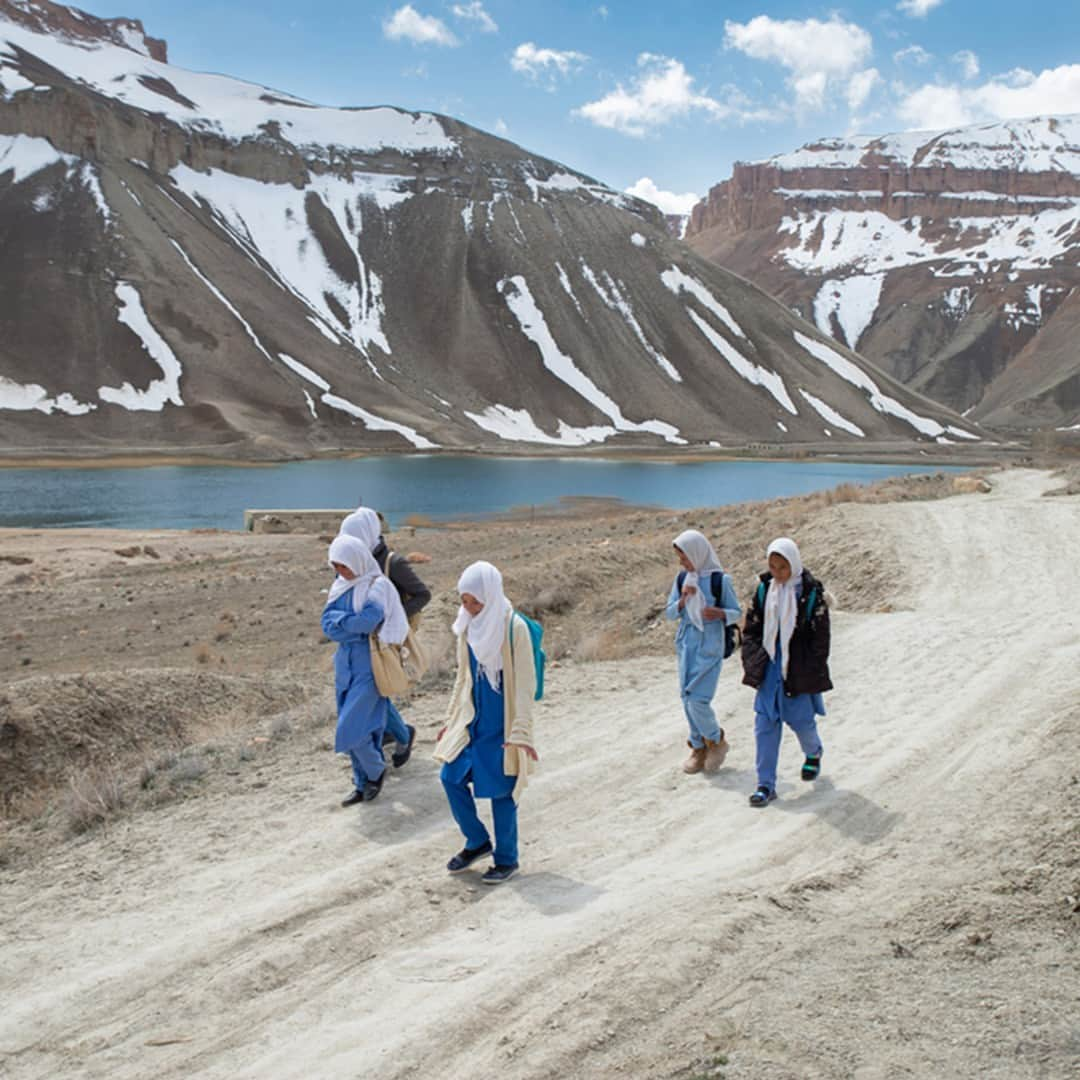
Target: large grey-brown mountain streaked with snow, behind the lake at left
(193, 262)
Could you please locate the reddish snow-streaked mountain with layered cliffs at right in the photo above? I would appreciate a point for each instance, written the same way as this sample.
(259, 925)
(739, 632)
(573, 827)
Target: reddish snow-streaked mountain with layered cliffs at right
(950, 259)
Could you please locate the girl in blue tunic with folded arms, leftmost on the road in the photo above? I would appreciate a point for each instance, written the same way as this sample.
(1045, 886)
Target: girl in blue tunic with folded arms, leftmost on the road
(361, 603)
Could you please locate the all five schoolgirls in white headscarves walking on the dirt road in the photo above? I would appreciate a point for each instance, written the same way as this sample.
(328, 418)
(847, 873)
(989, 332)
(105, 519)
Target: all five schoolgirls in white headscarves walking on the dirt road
(487, 747)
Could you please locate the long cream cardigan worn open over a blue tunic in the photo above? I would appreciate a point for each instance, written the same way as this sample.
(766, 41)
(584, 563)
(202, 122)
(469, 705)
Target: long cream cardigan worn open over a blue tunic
(519, 687)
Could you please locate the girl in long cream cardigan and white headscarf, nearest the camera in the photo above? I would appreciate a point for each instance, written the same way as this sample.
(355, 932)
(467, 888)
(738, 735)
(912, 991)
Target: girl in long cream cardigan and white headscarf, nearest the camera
(487, 746)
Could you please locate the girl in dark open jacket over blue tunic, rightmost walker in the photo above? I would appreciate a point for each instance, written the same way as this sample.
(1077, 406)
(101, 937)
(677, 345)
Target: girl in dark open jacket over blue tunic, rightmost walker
(786, 659)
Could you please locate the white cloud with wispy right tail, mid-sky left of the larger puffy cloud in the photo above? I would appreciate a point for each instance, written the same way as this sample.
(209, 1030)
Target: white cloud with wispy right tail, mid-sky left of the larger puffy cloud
(664, 92)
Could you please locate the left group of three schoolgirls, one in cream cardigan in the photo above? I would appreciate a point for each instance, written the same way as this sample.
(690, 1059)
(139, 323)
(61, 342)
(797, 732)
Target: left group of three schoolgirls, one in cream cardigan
(487, 744)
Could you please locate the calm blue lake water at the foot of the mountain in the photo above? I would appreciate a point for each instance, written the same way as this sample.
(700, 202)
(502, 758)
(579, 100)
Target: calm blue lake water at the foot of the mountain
(441, 488)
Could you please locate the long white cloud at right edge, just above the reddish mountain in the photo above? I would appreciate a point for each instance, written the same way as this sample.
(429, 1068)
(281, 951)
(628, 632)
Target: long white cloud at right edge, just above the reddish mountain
(1018, 93)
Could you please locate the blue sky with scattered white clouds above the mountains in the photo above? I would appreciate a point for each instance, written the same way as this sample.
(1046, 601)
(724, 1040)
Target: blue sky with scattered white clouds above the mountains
(673, 91)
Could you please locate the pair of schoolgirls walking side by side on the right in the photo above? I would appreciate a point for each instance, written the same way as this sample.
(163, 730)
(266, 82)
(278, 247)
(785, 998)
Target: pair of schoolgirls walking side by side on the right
(786, 642)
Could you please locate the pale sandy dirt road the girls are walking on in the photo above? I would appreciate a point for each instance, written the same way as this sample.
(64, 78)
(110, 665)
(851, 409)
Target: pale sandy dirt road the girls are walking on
(658, 919)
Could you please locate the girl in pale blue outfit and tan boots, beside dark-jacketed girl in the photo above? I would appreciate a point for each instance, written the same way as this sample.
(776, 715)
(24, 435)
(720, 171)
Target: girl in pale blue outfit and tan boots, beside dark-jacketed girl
(705, 603)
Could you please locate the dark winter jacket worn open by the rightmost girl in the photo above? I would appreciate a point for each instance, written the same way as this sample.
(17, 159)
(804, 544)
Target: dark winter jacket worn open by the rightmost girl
(808, 650)
